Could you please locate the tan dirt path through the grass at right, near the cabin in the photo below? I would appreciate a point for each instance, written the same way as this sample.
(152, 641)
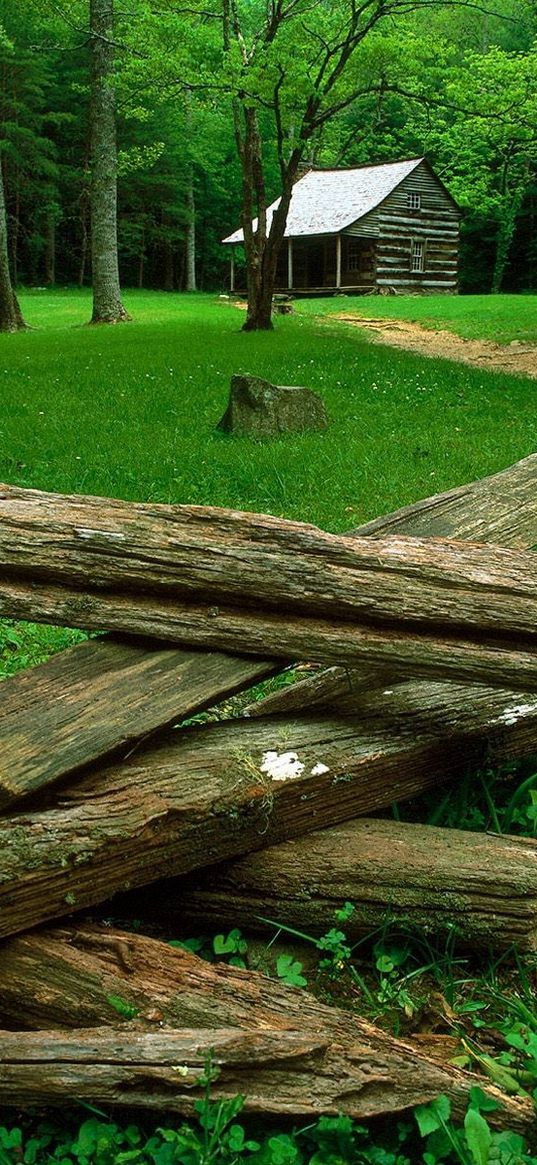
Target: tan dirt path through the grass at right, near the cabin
(518, 357)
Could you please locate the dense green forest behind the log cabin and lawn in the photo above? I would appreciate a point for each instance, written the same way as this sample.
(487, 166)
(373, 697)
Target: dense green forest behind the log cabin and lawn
(456, 82)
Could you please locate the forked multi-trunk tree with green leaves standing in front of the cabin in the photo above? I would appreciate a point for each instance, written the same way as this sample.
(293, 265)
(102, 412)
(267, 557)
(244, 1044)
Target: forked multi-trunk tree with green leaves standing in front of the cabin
(296, 62)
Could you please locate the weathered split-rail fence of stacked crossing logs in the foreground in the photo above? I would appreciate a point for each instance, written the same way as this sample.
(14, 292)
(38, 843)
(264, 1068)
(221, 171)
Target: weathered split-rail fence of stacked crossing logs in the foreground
(428, 623)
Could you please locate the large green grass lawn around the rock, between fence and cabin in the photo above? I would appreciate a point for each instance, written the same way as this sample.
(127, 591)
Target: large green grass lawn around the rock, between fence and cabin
(131, 411)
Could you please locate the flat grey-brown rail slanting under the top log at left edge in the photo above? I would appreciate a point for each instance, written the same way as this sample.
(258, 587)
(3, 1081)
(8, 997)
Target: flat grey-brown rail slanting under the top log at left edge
(103, 696)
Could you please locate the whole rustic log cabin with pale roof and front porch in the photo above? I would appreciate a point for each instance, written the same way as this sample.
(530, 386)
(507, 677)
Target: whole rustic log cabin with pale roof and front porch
(391, 228)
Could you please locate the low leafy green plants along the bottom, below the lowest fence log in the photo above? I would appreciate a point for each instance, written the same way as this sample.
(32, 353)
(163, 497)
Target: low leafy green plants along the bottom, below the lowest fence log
(221, 1136)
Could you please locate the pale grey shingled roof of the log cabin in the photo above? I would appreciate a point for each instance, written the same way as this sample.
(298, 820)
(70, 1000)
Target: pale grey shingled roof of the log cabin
(327, 202)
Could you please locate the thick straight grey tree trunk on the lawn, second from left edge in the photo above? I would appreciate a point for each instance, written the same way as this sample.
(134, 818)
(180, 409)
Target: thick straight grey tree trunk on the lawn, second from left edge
(108, 307)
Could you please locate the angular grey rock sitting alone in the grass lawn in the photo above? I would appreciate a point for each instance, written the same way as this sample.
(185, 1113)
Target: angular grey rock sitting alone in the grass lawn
(257, 408)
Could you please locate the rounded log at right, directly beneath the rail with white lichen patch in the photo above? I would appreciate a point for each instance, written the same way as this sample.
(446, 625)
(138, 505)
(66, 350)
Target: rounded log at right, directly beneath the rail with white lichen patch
(479, 888)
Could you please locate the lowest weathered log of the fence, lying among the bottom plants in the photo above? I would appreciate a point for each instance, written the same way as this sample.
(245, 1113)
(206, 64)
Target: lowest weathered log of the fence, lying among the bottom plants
(296, 1074)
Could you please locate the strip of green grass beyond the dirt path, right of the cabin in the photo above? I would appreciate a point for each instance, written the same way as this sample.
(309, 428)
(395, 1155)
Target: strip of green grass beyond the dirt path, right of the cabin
(503, 319)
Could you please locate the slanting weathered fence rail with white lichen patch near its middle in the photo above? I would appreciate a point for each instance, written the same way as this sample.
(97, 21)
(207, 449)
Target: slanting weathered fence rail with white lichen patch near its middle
(201, 796)
